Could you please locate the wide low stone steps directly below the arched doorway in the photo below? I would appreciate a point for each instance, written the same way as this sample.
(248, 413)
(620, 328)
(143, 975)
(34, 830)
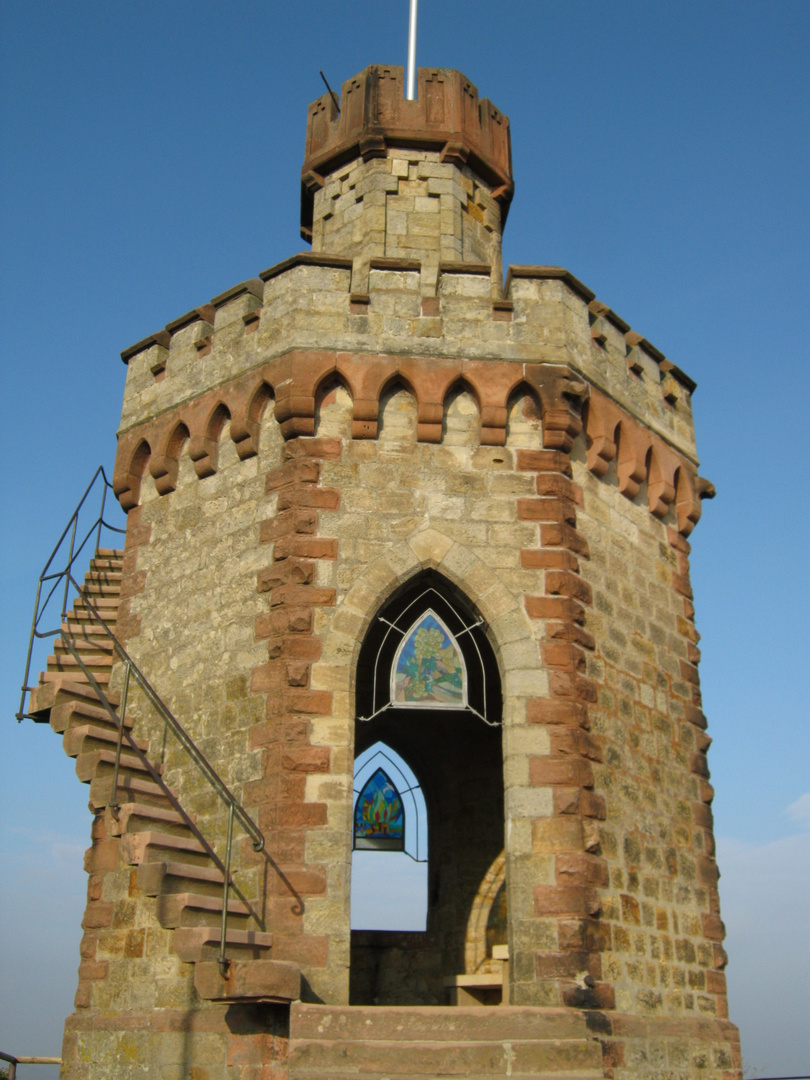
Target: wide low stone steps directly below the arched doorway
(394, 1043)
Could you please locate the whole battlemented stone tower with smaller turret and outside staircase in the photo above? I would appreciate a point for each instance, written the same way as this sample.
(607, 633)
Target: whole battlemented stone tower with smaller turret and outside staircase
(381, 495)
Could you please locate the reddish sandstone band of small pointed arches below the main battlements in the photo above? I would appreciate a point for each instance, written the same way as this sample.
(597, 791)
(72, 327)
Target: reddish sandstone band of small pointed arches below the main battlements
(294, 381)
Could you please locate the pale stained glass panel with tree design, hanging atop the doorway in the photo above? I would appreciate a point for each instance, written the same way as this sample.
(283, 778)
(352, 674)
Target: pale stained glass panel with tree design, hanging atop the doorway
(429, 669)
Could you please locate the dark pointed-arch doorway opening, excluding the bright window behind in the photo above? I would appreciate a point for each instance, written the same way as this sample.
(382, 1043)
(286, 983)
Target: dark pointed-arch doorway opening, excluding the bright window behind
(428, 687)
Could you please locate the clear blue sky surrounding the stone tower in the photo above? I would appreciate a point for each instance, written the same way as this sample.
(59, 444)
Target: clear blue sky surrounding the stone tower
(152, 155)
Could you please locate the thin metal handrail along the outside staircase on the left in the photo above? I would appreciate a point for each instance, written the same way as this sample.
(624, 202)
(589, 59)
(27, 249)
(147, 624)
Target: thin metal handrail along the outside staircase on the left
(132, 672)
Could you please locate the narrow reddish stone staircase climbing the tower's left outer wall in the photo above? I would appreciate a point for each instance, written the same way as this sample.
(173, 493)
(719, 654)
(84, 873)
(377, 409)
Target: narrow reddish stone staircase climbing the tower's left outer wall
(153, 832)
